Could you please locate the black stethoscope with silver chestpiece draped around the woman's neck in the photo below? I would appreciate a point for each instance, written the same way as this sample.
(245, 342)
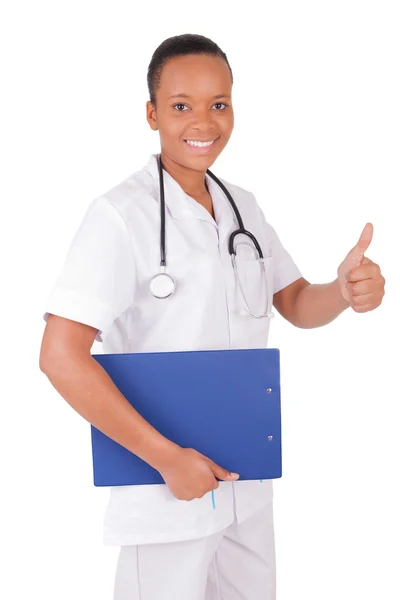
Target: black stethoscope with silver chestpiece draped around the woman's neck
(162, 284)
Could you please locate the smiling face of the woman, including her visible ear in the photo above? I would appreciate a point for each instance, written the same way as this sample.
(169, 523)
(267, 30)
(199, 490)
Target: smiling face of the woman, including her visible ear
(193, 104)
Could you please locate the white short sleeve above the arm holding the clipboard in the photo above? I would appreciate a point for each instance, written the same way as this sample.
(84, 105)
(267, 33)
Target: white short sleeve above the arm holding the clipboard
(96, 283)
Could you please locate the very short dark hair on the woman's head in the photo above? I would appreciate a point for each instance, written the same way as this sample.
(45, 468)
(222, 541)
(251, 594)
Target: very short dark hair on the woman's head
(179, 45)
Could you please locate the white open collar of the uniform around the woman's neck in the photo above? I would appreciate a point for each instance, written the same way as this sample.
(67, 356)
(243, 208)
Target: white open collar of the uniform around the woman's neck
(182, 206)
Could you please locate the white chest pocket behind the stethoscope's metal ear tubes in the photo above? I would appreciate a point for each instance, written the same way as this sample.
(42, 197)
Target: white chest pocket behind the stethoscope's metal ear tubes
(252, 284)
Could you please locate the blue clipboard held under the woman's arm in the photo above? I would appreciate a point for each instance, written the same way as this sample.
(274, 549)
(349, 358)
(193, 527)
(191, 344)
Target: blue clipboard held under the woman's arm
(223, 403)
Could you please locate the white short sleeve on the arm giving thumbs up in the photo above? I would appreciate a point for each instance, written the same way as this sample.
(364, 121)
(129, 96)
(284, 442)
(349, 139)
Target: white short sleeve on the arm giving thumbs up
(285, 269)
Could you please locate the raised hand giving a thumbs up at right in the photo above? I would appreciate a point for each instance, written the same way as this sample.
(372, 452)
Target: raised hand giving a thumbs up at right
(361, 282)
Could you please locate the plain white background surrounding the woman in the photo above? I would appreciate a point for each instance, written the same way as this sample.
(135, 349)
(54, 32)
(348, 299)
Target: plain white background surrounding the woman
(316, 97)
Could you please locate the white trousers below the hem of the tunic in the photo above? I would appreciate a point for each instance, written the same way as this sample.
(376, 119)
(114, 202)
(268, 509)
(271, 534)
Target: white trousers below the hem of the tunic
(237, 563)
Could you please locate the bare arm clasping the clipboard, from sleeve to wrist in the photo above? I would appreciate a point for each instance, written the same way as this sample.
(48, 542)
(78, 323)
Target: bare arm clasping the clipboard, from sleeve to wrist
(66, 360)
